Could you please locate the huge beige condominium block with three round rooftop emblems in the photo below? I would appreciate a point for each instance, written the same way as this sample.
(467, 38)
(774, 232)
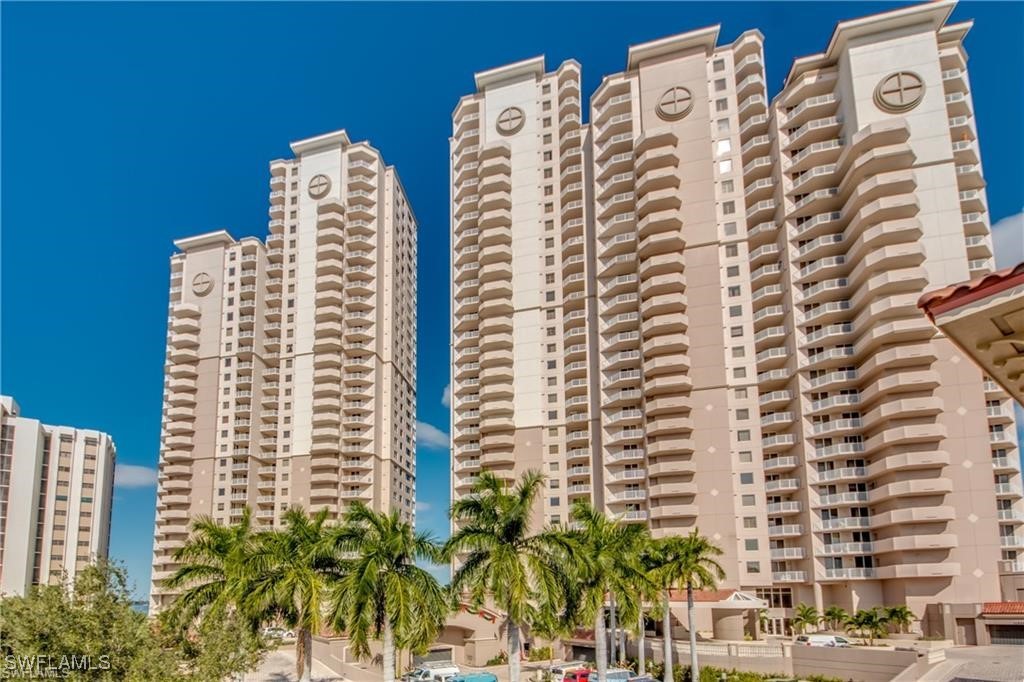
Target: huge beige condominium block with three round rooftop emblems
(699, 310)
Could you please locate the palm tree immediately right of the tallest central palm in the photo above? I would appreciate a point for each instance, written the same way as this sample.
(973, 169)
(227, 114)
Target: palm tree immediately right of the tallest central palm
(614, 571)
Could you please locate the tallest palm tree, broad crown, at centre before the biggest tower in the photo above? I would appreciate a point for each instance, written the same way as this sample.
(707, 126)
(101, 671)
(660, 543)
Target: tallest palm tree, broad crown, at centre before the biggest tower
(502, 561)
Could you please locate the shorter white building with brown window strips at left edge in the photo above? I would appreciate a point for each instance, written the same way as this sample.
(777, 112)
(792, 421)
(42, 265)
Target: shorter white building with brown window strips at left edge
(57, 485)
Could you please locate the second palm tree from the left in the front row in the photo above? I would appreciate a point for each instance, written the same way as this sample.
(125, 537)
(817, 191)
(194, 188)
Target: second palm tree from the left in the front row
(289, 580)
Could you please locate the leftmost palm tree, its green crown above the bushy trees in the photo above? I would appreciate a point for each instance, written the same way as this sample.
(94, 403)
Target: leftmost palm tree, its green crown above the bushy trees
(212, 564)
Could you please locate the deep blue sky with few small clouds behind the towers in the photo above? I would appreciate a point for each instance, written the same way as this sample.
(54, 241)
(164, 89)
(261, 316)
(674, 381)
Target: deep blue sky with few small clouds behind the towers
(125, 126)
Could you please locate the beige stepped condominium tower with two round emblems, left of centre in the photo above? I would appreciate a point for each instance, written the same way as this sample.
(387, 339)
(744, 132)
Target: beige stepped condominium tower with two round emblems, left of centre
(291, 364)
